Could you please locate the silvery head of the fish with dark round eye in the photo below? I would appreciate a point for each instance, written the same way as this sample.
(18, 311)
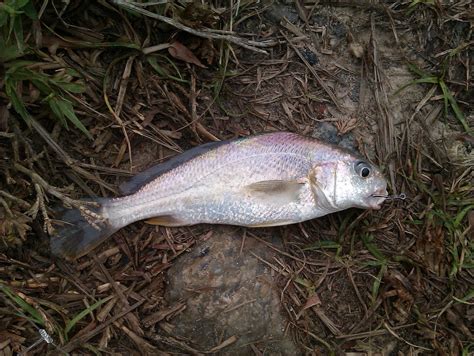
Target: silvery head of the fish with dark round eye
(350, 182)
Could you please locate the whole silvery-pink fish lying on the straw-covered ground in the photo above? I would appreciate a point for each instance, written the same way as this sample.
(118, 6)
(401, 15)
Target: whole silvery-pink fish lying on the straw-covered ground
(264, 180)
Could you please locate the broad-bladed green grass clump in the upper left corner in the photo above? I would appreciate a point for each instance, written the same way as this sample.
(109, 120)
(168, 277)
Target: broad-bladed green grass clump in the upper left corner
(56, 90)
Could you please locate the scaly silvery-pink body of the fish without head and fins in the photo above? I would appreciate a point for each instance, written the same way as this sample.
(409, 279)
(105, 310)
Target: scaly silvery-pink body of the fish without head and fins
(212, 187)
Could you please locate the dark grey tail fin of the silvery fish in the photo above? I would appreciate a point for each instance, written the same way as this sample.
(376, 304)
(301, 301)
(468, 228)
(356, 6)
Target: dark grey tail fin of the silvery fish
(76, 236)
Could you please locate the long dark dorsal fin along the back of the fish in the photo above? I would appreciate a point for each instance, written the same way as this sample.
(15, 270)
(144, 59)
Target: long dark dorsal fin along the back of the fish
(138, 181)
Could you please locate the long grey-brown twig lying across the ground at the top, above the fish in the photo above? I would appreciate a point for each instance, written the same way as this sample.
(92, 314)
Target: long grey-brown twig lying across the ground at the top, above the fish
(206, 33)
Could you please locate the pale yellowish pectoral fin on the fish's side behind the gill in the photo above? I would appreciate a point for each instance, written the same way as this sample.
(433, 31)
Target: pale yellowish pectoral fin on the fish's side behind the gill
(277, 191)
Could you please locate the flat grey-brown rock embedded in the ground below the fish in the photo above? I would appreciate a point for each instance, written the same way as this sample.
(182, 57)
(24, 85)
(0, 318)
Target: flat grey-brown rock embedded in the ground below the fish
(228, 293)
